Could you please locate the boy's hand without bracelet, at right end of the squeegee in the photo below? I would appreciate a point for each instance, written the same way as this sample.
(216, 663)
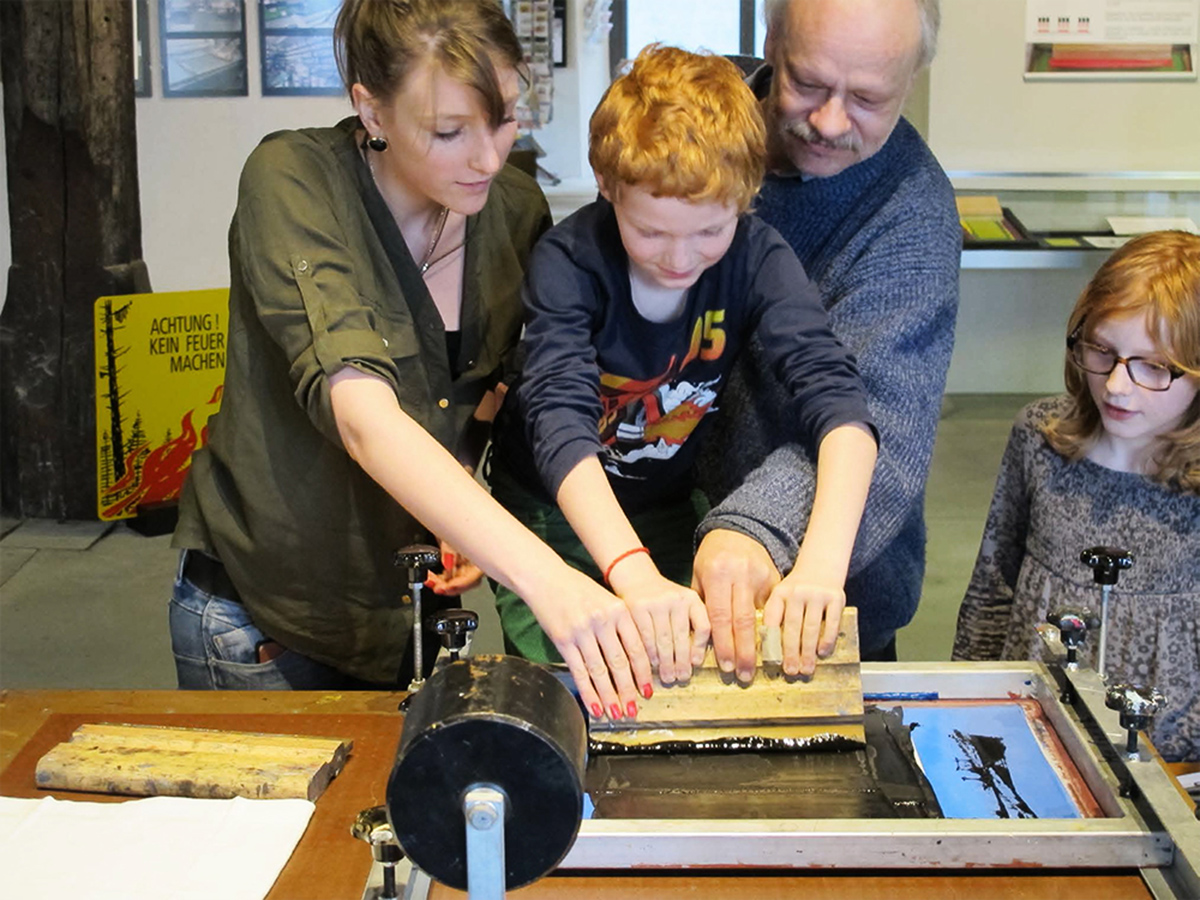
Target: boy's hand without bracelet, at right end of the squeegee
(808, 604)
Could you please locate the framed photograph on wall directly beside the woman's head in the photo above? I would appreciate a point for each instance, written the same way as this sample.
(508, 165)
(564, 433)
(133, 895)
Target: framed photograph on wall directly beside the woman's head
(297, 43)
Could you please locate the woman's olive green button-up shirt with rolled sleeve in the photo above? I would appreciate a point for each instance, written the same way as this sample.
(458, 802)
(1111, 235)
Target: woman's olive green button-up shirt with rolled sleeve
(321, 279)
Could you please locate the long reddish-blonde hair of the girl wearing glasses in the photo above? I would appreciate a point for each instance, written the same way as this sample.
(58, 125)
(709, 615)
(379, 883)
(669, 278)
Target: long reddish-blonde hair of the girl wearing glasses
(1157, 274)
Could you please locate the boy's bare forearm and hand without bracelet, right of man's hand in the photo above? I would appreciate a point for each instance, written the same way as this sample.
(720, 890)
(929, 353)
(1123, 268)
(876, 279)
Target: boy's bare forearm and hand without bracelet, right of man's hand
(814, 591)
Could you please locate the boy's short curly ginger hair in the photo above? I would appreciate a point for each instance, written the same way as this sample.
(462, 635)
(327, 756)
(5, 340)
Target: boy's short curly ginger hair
(681, 125)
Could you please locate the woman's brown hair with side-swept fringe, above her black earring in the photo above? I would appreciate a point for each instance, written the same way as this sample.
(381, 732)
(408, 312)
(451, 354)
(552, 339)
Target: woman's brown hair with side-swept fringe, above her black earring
(380, 43)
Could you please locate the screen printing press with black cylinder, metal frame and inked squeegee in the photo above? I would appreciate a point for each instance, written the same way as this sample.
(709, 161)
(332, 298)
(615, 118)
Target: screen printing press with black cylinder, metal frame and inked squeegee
(892, 767)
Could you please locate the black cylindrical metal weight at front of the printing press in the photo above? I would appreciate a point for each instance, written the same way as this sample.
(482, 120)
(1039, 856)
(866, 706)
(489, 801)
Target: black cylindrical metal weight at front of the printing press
(497, 721)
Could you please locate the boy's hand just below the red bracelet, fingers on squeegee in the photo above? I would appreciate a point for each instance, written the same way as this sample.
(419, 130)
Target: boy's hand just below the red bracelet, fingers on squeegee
(670, 617)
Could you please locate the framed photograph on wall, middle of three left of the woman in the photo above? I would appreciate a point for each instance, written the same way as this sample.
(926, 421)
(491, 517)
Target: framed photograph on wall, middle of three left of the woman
(203, 49)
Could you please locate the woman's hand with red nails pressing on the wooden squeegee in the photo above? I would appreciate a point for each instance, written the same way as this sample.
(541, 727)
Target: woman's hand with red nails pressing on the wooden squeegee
(598, 641)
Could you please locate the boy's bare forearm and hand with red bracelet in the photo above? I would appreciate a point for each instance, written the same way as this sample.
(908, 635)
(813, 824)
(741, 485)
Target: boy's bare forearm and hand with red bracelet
(670, 617)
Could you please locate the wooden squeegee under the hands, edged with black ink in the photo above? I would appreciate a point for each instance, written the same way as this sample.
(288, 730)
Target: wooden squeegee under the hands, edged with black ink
(716, 707)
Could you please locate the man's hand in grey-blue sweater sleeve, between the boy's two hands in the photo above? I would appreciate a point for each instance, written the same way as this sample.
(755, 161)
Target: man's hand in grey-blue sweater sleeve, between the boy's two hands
(735, 575)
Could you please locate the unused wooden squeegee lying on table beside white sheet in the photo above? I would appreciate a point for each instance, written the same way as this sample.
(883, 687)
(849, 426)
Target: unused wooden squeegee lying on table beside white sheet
(148, 761)
